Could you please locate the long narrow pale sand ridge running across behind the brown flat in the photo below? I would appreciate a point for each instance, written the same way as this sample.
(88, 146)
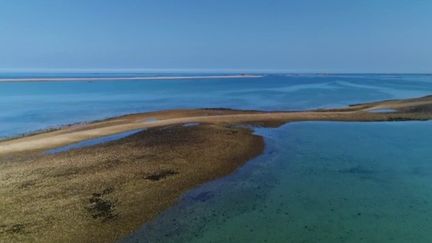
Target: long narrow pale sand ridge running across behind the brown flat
(409, 109)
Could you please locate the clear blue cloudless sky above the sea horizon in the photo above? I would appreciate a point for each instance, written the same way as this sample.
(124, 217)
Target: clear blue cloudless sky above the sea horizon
(289, 35)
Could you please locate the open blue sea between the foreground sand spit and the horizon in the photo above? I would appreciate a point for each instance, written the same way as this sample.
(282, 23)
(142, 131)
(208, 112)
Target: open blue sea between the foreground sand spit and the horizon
(26, 107)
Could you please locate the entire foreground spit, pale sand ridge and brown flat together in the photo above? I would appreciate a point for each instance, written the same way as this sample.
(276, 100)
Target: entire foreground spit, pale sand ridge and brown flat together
(106, 191)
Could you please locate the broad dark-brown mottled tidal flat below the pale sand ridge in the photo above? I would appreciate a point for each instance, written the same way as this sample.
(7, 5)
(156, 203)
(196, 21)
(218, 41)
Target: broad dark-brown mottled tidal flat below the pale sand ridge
(100, 193)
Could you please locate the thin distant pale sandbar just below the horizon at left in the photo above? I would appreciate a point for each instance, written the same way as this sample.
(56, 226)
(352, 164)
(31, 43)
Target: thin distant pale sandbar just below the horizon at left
(59, 79)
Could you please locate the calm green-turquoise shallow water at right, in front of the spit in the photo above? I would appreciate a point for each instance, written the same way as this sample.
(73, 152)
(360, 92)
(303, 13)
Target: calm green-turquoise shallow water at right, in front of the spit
(317, 182)
